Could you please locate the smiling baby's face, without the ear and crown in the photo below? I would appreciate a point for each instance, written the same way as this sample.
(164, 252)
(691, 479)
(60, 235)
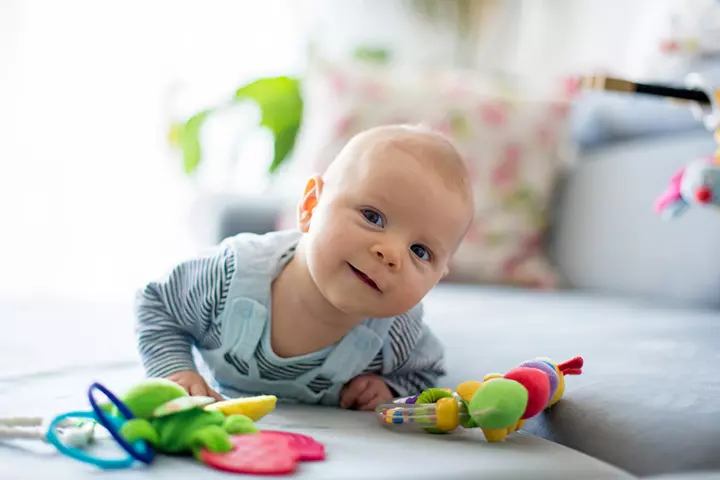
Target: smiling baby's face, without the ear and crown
(382, 236)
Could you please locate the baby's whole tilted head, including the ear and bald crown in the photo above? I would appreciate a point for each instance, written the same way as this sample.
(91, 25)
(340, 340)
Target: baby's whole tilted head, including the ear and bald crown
(384, 220)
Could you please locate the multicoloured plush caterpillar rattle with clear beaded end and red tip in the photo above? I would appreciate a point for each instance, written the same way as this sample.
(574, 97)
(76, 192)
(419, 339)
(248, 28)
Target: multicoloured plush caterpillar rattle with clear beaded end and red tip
(499, 405)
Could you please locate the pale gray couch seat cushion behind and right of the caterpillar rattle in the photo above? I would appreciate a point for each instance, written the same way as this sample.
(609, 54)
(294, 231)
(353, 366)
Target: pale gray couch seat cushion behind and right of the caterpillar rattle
(648, 398)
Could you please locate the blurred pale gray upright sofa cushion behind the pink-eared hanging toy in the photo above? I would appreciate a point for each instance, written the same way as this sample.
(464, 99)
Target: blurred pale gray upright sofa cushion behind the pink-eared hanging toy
(608, 237)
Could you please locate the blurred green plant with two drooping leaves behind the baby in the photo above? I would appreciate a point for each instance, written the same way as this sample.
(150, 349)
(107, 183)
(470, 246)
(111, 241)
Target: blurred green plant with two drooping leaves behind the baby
(281, 106)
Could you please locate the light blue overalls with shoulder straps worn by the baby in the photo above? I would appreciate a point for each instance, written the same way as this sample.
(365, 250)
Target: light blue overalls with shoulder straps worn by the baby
(245, 322)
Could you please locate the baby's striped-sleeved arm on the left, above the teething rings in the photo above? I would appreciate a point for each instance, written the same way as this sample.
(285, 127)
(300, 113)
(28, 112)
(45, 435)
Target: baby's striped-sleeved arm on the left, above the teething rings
(179, 311)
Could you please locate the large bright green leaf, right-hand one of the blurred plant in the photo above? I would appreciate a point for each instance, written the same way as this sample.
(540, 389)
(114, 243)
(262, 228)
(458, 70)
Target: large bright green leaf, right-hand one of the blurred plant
(281, 106)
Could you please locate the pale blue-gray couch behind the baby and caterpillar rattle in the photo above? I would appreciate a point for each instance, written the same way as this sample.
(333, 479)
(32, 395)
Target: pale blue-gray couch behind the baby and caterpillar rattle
(644, 308)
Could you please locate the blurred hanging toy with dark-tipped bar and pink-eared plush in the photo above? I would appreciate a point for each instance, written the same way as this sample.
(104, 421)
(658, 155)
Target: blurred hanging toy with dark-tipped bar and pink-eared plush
(698, 182)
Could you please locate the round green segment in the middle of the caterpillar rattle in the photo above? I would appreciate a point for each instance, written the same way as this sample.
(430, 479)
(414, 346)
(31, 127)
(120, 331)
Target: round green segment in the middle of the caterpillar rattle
(499, 403)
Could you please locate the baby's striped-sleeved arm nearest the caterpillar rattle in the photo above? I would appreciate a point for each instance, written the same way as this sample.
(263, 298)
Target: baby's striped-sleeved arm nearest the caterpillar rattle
(417, 354)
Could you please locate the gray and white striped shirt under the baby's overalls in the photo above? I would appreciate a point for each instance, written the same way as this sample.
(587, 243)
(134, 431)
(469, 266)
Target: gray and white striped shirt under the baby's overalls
(180, 311)
